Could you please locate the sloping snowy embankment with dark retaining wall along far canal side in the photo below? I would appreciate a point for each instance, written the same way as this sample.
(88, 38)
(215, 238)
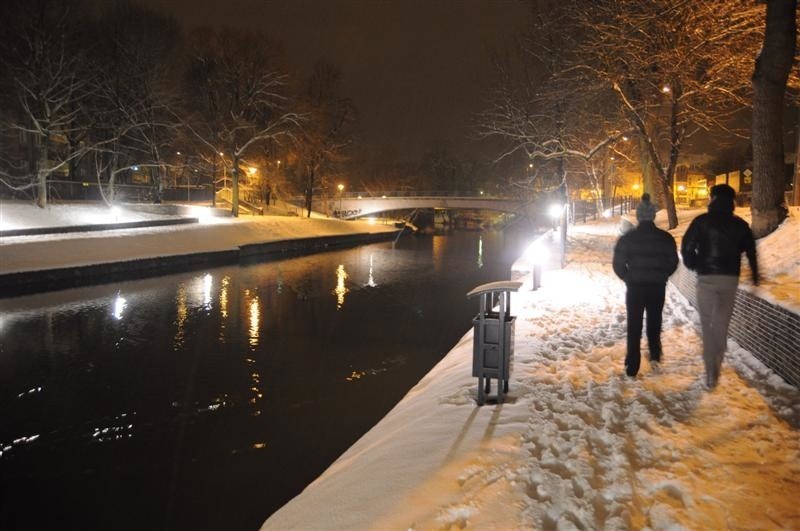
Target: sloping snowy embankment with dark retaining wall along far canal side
(30, 264)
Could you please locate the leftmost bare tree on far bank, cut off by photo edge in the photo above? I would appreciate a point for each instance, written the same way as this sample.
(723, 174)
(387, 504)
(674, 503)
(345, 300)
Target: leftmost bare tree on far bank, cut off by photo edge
(45, 88)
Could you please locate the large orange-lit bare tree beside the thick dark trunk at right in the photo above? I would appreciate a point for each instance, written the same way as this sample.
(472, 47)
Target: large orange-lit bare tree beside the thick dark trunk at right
(677, 69)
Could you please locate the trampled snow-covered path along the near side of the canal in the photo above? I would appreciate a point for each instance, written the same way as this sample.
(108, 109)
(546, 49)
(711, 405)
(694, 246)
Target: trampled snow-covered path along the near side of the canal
(576, 445)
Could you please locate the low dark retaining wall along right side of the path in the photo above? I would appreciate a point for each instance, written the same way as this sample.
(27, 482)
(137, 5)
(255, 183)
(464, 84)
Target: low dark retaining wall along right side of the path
(770, 332)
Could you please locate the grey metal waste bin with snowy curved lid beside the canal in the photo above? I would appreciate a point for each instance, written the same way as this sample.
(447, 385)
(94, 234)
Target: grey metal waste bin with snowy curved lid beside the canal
(493, 337)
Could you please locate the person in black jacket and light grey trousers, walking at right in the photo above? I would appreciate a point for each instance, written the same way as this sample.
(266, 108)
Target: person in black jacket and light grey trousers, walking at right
(713, 246)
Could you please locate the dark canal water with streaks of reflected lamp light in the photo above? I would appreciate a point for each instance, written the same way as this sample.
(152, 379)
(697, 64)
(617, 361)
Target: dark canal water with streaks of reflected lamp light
(207, 400)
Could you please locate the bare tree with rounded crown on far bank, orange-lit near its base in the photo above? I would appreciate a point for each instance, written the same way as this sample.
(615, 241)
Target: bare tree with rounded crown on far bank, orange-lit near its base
(236, 95)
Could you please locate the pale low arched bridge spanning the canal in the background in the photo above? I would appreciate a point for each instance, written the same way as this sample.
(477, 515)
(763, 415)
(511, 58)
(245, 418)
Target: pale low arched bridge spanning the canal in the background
(350, 205)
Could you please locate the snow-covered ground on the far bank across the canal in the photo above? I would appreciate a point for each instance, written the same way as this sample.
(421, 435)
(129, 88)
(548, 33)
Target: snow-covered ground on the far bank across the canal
(31, 253)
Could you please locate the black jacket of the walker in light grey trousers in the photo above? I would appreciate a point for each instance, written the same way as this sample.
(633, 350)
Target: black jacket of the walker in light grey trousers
(714, 242)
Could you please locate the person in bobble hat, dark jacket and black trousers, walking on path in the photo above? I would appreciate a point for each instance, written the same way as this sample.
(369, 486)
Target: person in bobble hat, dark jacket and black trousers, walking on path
(644, 258)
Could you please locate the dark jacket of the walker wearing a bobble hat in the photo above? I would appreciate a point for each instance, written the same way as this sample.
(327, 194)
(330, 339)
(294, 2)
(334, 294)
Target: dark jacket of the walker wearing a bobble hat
(645, 255)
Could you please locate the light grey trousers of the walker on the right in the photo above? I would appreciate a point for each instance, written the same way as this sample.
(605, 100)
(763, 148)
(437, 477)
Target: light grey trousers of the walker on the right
(715, 297)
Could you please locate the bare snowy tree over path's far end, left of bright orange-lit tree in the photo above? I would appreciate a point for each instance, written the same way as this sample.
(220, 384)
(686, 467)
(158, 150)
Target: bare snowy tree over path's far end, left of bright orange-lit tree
(543, 106)
